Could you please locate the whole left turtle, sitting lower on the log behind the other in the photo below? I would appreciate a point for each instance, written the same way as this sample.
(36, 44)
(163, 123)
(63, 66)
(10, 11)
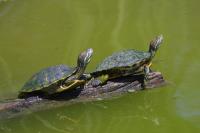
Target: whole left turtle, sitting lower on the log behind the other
(56, 79)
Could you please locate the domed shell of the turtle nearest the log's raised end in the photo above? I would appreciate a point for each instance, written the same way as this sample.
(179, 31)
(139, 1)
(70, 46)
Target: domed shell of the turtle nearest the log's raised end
(122, 59)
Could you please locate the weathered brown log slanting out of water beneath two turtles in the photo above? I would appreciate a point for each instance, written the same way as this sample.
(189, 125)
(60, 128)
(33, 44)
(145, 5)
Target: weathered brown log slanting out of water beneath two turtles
(116, 87)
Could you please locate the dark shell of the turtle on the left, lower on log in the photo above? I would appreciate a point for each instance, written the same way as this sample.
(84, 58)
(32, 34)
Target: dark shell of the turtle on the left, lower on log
(47, 77)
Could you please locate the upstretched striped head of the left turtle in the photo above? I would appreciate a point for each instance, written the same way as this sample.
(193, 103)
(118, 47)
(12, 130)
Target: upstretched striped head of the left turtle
(84, 58)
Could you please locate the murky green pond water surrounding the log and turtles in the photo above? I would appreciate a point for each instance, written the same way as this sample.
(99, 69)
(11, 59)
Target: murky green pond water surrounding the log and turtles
(38, 33)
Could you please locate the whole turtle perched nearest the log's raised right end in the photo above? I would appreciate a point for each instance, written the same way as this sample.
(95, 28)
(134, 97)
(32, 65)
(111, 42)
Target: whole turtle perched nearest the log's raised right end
(126, 63)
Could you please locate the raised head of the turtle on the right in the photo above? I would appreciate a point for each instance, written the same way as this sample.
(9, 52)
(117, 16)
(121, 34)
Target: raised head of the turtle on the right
(155, 44)
